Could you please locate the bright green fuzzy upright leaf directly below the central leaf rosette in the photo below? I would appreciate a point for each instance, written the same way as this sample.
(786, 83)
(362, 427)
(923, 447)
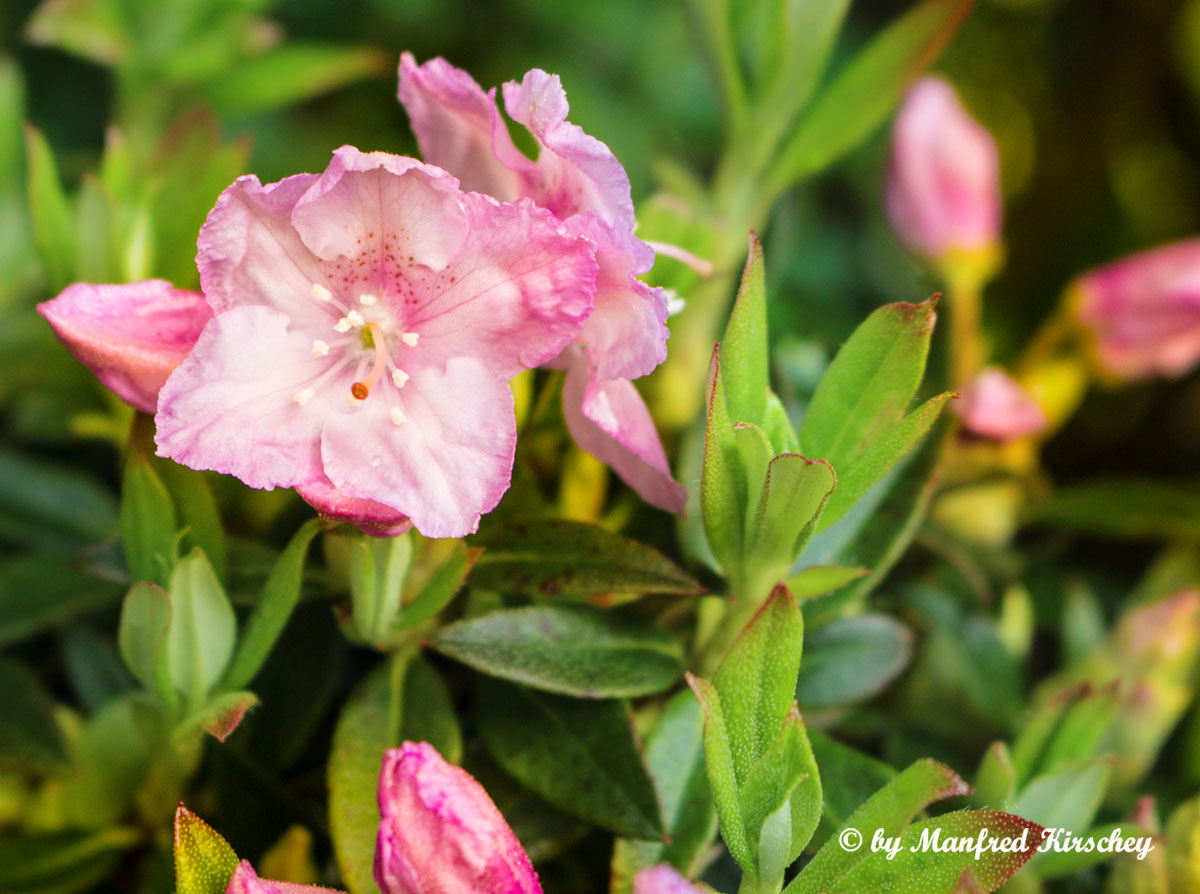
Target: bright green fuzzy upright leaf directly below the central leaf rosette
(757, 681)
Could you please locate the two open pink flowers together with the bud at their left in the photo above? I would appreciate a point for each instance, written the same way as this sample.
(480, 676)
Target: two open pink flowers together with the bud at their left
(358, 328)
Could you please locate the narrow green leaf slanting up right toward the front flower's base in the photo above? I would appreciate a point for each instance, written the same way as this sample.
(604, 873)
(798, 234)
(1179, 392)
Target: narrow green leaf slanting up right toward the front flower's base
(272, 611)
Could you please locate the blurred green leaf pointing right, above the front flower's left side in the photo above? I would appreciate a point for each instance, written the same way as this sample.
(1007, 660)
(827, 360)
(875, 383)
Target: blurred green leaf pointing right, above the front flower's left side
(291, 74)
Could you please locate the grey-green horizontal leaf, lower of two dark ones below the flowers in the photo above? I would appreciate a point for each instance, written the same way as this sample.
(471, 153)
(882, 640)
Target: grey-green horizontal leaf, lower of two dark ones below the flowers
(569, 650)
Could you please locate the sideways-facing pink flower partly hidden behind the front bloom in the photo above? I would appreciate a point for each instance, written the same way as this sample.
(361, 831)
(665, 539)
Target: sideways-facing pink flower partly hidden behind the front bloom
(581, 183)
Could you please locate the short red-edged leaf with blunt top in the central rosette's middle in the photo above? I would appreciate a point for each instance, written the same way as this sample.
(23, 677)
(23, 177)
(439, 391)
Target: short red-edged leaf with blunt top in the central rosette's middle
(790, 509)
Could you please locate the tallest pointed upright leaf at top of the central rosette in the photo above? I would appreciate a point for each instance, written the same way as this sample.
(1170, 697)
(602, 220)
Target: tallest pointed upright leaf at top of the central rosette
(745, 346)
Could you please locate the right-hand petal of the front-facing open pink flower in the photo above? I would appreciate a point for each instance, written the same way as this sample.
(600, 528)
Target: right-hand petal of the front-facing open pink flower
(515, 297)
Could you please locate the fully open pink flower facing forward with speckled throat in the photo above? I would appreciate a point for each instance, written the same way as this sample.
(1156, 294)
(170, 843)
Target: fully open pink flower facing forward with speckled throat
(367, 323)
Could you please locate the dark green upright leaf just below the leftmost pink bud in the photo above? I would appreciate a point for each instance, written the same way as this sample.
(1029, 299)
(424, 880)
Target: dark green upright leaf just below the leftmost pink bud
(148, 523)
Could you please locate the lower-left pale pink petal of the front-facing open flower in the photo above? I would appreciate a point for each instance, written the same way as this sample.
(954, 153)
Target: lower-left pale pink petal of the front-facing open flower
(230, 406)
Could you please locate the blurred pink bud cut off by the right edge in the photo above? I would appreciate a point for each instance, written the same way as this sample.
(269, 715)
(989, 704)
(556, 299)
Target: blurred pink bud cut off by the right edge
(1143, 313)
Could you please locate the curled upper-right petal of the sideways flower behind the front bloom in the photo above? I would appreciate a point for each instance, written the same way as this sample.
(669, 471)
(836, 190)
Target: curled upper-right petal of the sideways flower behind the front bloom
(575, 172)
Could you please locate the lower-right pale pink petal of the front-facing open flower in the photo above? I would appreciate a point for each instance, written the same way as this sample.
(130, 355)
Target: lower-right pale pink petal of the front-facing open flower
(446, 465)
